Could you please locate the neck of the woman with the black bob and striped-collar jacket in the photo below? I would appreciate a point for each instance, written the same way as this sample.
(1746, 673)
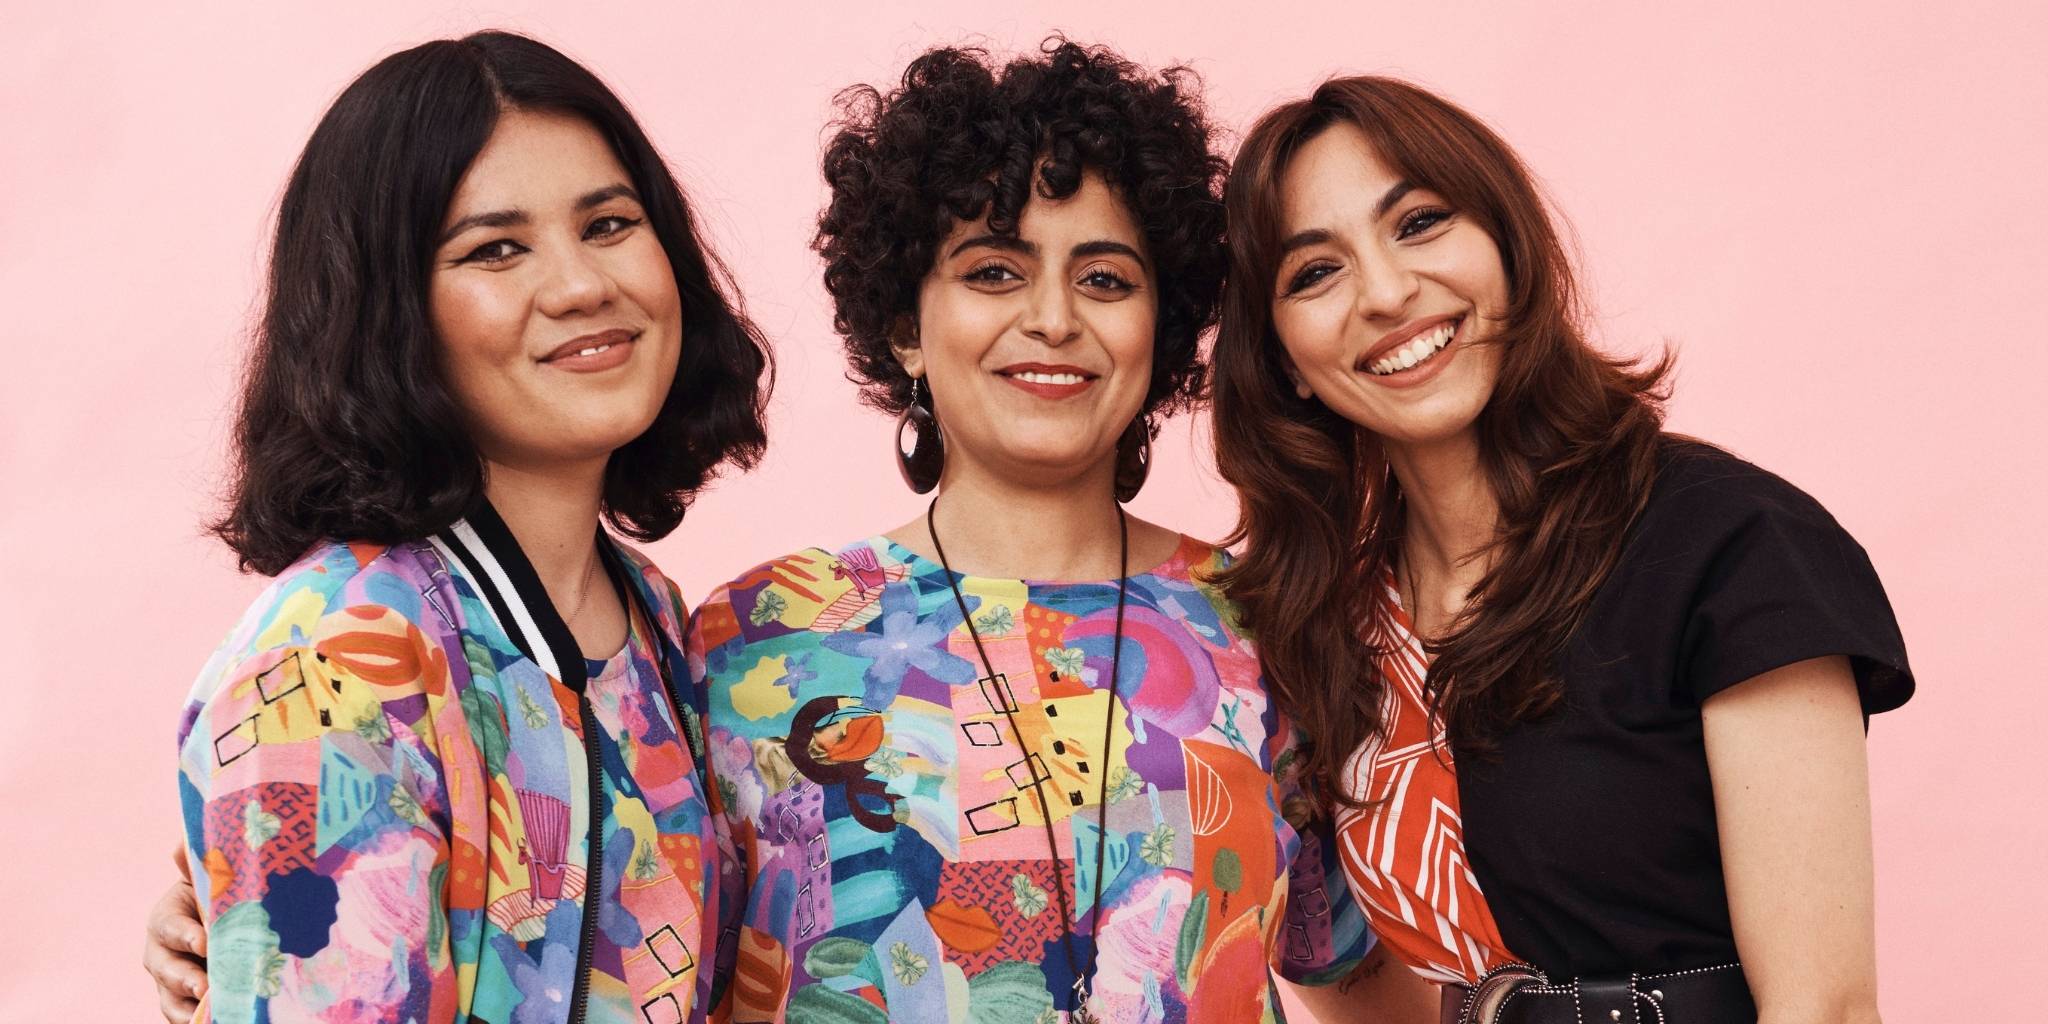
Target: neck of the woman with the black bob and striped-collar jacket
(554, 517)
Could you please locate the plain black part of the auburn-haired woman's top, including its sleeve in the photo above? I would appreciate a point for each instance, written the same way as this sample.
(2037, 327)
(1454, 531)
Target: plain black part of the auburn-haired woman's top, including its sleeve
(1592, 833)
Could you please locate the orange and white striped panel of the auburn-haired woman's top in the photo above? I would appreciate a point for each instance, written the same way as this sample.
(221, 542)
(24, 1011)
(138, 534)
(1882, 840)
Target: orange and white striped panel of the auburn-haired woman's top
(1404, 853)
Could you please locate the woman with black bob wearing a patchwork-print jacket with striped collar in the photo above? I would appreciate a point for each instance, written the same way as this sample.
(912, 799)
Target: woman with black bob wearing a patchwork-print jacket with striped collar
(443, 769)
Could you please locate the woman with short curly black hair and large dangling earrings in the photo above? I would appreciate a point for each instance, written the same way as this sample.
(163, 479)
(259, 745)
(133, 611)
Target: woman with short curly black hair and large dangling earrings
(1013, 761)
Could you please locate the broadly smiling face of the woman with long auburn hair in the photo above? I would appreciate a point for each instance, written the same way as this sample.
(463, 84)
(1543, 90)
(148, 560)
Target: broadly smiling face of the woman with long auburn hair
(1385, 294)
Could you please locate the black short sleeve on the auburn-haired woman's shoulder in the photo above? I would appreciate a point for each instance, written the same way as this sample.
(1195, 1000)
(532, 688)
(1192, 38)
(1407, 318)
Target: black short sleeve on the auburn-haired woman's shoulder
(1785, 585)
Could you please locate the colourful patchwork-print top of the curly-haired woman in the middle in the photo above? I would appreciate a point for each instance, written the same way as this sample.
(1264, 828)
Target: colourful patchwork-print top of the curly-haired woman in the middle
(890, 830)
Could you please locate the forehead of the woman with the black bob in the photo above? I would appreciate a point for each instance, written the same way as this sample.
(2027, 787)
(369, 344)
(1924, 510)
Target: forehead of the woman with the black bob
(538, 159)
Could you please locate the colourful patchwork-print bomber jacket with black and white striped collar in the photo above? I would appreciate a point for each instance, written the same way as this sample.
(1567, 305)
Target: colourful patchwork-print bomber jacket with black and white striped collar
(390, 798)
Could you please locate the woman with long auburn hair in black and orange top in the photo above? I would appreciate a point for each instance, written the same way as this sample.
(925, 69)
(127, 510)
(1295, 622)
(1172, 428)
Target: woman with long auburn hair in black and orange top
(1629, 667)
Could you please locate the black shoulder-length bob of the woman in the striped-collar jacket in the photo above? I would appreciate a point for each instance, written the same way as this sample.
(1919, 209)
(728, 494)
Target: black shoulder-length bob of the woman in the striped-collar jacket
(347, 429)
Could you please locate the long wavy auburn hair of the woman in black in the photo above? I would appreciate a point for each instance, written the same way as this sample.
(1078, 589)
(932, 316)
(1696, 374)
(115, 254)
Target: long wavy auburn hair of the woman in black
(1568, 441)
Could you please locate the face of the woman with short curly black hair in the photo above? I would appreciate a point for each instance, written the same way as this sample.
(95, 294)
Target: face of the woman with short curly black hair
(1039, 347)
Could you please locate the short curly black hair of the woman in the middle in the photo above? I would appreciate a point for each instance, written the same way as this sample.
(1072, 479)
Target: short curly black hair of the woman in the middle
(964, 138)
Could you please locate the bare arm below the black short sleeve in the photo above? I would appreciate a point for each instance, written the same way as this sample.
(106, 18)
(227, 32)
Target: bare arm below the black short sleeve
(1793, 798)
